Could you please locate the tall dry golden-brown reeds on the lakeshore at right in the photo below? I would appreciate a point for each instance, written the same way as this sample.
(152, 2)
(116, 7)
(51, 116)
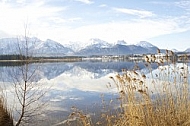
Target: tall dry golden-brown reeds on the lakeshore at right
(160, 98)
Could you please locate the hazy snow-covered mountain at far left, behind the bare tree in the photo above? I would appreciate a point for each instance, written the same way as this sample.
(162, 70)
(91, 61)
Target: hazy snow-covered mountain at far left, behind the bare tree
(34, 45)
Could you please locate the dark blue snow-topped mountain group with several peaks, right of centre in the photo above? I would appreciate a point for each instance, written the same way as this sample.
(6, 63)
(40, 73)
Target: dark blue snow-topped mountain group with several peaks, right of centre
(120, 48)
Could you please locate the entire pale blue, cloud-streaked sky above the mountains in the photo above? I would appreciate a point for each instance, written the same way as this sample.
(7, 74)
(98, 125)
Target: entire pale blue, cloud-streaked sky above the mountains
(164, 23)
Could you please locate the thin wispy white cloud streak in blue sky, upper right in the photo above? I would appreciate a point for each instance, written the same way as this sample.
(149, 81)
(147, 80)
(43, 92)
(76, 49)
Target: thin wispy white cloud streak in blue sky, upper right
(140, 13)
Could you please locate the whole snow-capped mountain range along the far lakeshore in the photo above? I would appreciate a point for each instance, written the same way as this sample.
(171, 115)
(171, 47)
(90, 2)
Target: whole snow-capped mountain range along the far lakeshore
(95, 46)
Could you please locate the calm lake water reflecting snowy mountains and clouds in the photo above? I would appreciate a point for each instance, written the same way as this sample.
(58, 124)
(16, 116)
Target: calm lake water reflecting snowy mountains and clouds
(84, 85)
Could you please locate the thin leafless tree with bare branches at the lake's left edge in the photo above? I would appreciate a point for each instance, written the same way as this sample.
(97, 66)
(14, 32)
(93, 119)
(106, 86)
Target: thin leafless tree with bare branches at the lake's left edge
(27, 91)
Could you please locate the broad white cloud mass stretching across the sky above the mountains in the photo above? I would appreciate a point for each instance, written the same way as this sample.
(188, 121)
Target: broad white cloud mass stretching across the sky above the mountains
(48, 22)
